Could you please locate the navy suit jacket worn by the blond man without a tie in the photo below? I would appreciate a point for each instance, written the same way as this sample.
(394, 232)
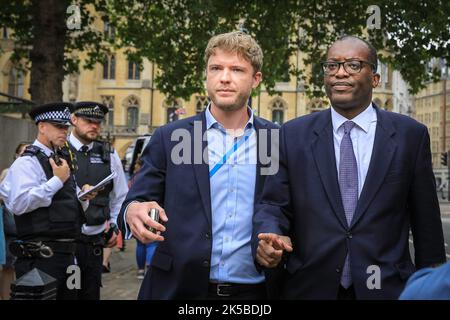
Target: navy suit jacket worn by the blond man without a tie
(181, 264)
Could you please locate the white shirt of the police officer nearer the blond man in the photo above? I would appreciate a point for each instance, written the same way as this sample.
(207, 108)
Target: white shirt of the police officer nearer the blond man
(118, 193)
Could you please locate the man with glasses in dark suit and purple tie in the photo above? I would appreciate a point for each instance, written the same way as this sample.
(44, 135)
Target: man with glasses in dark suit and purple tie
(353, 181)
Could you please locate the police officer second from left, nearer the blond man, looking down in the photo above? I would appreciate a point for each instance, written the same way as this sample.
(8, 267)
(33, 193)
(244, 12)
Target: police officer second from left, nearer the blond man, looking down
(96, 160)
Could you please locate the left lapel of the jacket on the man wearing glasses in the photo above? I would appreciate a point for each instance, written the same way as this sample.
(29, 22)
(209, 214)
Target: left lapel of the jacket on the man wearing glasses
(324, 156)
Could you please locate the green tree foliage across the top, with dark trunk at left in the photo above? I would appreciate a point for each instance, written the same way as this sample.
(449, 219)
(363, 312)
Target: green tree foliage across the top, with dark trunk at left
(174, 33)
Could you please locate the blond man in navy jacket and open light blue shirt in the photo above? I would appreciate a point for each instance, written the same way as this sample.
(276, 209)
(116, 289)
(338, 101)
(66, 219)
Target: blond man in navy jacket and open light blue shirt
(204, 174)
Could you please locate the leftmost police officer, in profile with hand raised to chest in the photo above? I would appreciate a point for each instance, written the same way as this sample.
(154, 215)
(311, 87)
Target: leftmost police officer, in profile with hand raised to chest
(41, 191)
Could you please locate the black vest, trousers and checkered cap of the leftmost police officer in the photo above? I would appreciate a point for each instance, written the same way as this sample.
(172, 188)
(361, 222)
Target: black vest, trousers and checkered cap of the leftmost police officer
(56, 226)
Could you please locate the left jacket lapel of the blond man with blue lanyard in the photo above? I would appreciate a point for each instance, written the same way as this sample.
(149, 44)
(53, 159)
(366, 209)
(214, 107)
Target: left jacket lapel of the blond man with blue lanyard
(201, 170)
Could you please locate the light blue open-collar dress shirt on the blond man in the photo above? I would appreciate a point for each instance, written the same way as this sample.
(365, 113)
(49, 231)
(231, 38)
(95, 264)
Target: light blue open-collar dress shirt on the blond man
(232, 197)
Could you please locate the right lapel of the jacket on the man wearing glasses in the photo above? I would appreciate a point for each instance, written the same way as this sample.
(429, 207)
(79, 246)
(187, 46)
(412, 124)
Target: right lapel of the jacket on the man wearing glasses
(383, 151)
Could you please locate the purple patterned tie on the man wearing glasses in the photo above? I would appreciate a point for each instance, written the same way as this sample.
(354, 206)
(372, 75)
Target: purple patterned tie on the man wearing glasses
(348, 183)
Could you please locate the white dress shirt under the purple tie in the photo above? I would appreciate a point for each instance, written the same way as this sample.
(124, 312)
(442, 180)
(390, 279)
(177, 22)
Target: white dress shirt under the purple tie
(362, 135)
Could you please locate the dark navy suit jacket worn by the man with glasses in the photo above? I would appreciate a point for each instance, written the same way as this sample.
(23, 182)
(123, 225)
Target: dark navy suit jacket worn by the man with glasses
(303, 201)
